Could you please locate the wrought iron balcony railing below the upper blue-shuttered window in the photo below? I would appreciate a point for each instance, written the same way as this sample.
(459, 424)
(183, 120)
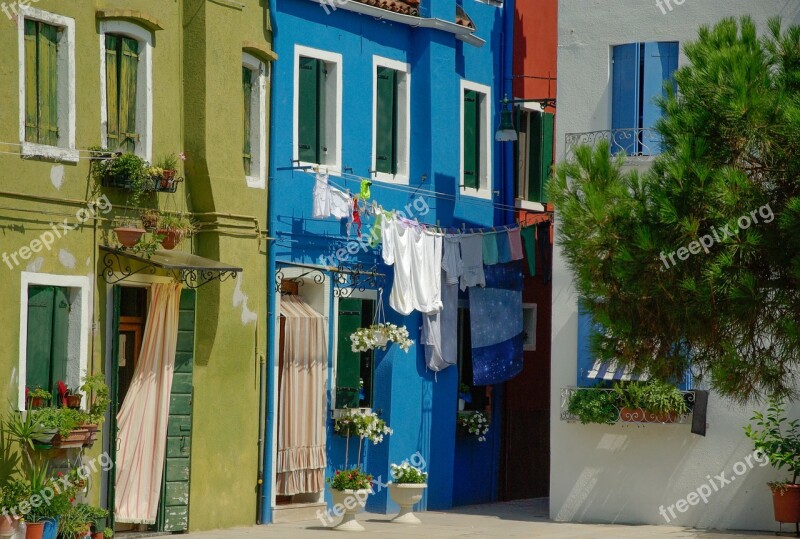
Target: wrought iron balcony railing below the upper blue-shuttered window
(638, 145)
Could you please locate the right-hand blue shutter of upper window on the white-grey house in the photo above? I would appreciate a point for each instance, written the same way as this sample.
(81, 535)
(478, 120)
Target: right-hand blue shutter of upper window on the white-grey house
(660, 63)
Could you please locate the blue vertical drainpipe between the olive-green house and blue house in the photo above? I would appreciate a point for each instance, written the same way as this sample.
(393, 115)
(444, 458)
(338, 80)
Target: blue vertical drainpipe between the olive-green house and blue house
(266, 474)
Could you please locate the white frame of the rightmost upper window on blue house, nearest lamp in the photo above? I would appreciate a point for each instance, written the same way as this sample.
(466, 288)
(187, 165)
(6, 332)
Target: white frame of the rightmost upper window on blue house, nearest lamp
(485, 180)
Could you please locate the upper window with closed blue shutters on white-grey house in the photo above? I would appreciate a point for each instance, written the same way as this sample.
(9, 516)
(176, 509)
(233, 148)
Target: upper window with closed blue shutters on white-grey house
(640, 71)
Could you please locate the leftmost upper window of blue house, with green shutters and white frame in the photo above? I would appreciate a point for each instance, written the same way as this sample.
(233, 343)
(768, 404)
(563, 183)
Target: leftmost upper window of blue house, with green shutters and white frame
(318, 113)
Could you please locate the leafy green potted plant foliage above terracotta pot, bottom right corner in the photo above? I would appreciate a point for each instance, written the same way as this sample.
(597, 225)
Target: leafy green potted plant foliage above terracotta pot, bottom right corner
(777, 438)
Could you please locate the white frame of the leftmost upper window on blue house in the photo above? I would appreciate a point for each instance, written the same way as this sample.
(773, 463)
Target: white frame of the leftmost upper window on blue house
(333, 107)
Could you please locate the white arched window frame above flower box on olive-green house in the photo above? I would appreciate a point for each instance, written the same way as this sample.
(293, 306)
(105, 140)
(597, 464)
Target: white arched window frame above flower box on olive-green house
(144, 84)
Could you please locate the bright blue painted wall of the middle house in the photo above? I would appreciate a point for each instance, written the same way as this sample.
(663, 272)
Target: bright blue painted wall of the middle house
(419, 406)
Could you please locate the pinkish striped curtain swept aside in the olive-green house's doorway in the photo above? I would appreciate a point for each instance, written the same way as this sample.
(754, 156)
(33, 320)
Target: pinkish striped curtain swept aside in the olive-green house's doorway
(142, 419)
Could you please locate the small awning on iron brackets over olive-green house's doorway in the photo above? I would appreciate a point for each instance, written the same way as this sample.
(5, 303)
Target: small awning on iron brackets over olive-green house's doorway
(192, 270)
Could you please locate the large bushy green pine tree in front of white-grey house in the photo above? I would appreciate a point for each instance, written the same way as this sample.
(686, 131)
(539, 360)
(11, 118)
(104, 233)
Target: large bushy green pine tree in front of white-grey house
(731, 135)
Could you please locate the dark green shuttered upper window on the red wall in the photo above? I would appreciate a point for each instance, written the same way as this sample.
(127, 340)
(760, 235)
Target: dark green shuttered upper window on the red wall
(535, 150)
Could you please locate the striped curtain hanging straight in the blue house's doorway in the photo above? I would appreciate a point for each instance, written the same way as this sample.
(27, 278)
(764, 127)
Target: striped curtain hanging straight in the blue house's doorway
(302, 400)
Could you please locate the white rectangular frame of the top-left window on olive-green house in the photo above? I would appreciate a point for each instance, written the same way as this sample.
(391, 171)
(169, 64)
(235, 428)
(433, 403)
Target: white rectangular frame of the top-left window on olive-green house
(66, 150)
